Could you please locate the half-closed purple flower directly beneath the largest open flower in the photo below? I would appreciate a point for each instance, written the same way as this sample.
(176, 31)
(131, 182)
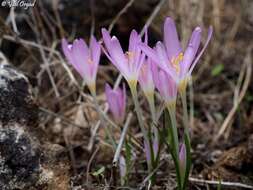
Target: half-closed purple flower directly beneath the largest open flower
(165, 85)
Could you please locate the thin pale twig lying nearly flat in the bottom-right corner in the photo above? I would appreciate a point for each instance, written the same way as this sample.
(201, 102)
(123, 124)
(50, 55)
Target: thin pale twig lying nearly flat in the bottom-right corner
(211, 182)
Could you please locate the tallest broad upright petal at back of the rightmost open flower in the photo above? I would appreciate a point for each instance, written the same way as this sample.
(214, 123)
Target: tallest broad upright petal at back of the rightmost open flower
(171, 40)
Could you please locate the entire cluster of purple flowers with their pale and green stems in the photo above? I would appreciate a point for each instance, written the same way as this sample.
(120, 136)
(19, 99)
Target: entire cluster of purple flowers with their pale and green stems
(165, 67)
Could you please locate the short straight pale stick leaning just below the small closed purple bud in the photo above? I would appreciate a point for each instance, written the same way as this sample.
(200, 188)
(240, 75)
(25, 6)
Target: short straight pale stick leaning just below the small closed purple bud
(122, 138)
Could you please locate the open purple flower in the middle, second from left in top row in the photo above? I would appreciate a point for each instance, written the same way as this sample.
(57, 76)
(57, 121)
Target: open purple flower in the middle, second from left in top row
(129, 63)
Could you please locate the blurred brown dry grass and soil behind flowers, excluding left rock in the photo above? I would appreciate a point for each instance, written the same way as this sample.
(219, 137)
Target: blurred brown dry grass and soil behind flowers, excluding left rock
(220, 94)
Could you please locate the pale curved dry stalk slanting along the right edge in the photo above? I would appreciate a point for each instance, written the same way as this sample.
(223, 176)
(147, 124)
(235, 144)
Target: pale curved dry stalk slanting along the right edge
(228, 119)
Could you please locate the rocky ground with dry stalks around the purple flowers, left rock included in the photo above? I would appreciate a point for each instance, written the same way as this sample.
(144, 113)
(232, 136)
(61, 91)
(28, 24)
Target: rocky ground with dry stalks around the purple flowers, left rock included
(47, 118)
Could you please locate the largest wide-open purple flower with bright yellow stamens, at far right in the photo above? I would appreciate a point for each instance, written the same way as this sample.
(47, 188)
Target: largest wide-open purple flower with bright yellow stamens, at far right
(170, 57)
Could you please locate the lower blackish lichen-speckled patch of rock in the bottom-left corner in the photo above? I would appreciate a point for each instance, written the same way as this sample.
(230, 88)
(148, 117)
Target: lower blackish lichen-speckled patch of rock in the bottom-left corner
(19, 159)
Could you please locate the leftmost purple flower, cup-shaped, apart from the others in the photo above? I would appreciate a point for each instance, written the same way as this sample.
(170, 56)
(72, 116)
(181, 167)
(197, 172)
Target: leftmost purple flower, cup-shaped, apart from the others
(84, 59)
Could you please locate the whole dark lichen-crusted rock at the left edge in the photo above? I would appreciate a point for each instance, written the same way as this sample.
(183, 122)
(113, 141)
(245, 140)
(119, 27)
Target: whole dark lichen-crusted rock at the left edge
(27, 160)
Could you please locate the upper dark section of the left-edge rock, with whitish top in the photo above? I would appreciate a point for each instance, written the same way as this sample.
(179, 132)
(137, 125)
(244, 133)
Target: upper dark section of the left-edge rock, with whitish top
(16, 102)
